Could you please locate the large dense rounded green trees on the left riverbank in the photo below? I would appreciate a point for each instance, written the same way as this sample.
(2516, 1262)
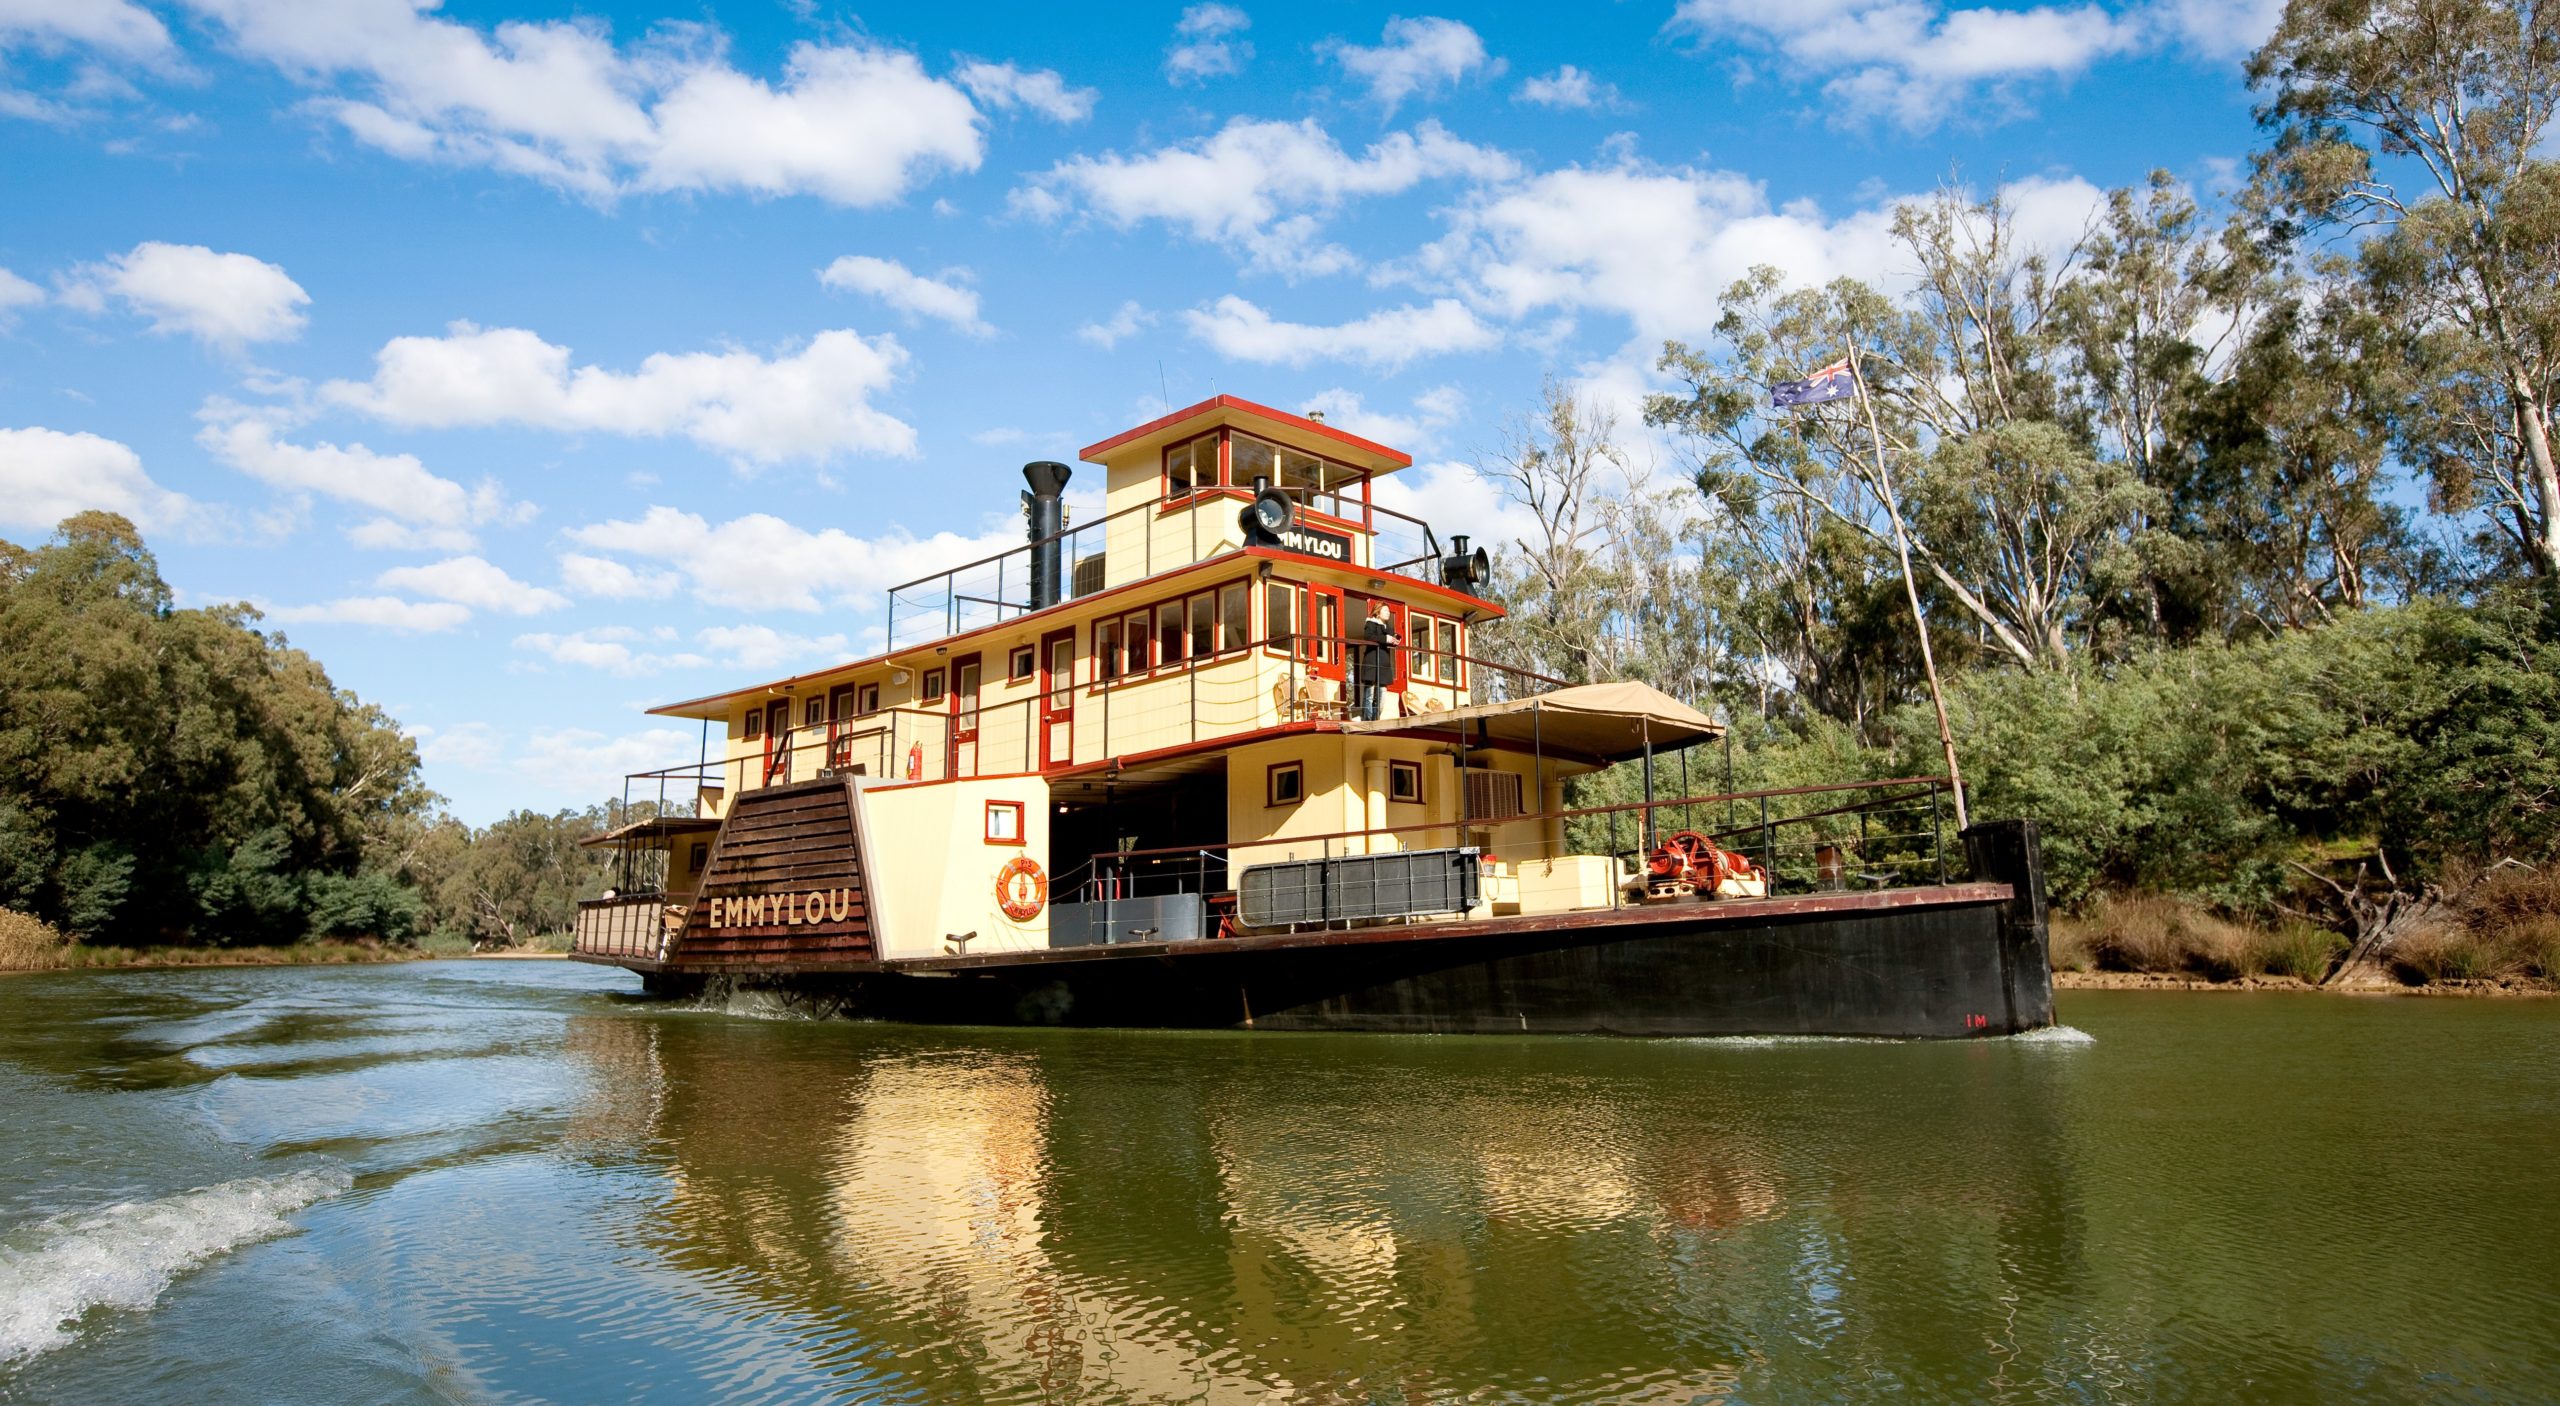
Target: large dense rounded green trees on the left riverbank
(175, 775)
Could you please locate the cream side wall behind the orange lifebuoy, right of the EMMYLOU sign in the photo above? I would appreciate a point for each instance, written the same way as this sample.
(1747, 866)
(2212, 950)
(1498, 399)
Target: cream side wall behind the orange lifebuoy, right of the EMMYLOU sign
(933, 875)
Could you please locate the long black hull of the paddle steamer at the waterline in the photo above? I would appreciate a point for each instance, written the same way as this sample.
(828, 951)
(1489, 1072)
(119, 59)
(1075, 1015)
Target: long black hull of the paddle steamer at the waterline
(1955, 962)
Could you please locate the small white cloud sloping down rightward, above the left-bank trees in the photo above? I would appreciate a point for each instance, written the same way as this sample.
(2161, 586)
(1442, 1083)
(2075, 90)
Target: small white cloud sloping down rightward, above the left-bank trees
(393, 485)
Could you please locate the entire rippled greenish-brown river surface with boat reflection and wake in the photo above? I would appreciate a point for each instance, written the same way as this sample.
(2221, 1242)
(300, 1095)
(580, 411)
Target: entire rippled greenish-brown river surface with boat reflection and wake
(516, 1182)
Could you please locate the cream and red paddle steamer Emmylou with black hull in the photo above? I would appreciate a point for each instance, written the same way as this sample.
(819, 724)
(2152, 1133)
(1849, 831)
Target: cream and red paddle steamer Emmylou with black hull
(1230, 757)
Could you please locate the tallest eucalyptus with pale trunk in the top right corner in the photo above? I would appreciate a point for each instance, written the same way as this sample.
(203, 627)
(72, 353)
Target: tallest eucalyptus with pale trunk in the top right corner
(2423, 127)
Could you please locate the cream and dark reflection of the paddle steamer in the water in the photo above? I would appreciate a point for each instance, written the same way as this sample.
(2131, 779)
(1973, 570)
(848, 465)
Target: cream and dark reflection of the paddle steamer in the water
(1215, 1218)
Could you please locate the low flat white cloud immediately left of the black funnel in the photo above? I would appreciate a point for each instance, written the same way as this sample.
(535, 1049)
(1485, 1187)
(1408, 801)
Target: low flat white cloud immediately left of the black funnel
(759, 562)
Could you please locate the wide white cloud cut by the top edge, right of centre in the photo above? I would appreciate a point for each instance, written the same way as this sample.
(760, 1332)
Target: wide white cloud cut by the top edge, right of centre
(1916, 60)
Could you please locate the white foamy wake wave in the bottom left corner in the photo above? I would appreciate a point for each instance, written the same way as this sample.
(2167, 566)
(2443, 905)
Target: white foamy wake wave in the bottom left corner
(124, 1256)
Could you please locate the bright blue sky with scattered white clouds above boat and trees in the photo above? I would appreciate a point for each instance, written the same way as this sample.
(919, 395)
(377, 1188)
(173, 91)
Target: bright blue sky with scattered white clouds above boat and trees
(534, 365)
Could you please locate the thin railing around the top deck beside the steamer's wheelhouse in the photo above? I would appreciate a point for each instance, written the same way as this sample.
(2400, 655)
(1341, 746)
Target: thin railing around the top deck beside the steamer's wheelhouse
(1146, 542)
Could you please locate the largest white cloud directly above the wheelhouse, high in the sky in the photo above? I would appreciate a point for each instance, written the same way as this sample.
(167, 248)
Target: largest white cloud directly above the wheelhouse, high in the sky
(1258, 188)
